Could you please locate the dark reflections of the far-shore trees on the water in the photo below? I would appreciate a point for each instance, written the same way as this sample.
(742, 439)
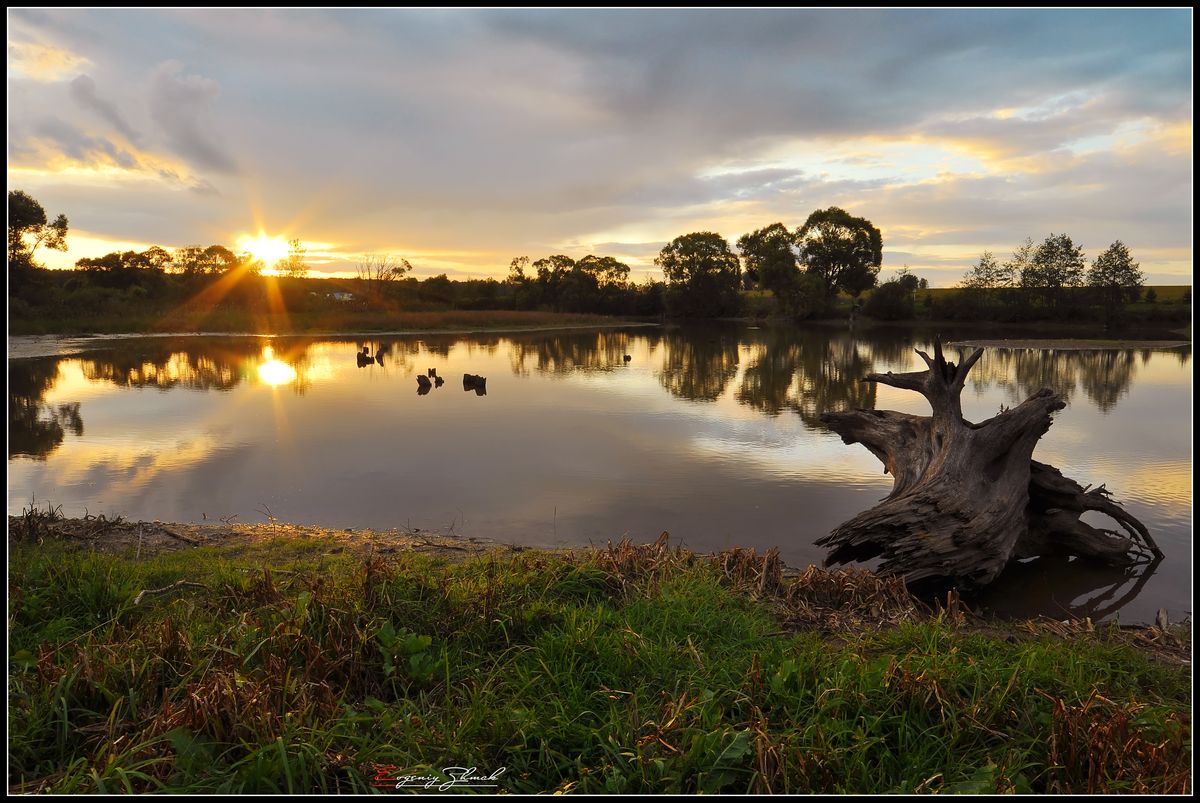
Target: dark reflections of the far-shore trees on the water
(771, 370)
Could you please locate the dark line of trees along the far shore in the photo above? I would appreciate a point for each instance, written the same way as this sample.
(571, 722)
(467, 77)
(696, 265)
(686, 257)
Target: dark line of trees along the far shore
(803, 269)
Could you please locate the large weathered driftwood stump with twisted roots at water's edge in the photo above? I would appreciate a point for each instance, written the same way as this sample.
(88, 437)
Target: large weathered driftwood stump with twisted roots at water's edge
(969, 498)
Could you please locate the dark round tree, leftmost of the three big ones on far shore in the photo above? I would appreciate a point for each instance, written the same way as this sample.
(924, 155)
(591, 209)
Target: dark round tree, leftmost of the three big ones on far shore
(703, 275)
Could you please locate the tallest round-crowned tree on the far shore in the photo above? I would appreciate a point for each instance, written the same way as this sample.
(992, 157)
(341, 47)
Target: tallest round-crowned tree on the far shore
(843, 250)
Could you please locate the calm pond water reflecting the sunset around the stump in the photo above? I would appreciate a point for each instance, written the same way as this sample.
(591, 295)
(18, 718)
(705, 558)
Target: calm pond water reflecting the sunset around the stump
(709, 434)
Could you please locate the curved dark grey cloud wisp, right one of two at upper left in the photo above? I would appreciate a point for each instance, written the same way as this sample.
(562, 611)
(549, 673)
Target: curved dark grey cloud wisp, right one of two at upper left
(181, 106)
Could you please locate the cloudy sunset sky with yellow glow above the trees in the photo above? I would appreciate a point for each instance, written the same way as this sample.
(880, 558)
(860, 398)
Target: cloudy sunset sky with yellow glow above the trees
(460, 140)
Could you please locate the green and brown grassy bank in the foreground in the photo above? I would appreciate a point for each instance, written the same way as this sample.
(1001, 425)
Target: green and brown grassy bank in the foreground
(301, 666)
